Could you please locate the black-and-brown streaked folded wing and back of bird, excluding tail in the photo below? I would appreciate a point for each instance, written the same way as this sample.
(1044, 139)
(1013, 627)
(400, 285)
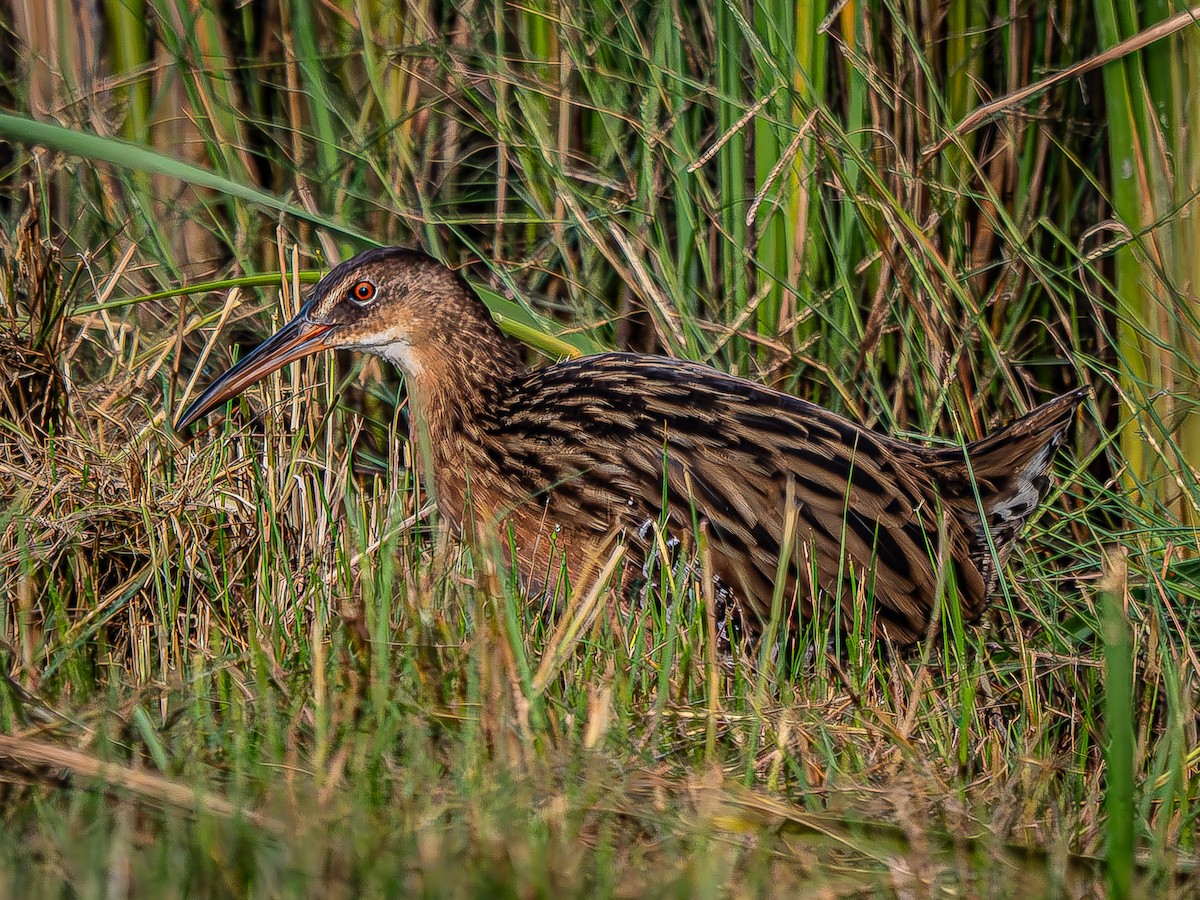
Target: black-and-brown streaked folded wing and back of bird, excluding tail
(668, 423)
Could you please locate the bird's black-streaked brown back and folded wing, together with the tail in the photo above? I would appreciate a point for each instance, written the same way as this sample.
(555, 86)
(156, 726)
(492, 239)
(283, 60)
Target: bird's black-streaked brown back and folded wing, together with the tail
(623, 442)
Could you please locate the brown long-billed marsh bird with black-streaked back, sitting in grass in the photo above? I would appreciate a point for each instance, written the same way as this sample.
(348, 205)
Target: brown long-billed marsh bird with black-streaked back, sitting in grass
(561, 465)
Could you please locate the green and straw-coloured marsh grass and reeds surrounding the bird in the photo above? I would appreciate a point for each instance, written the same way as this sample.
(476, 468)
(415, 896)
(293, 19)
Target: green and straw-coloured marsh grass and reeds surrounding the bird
(251, 662)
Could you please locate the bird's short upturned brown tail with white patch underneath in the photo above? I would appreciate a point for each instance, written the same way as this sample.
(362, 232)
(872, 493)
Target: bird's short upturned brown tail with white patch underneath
(1007, 479)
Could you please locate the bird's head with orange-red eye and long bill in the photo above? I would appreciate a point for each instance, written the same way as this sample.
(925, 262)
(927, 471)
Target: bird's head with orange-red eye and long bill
(394, 303)
